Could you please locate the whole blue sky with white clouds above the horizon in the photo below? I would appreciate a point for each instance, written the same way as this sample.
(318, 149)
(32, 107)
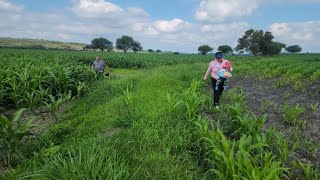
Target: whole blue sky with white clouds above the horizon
(175, 25)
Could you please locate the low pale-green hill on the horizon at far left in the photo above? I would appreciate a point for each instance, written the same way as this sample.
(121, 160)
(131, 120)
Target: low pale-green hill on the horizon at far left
(27, 43)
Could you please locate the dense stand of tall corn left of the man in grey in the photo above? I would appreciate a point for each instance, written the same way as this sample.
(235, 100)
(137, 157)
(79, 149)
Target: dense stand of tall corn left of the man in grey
(27, 78)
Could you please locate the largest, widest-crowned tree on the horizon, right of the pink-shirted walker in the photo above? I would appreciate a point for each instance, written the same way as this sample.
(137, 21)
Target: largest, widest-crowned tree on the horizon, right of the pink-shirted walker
(259, 43)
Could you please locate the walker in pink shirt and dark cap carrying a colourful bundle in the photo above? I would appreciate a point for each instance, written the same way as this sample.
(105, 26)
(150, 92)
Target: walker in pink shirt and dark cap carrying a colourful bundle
(220, 70)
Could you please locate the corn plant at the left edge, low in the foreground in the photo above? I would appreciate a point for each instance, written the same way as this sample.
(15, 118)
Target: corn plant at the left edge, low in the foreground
(12, 131)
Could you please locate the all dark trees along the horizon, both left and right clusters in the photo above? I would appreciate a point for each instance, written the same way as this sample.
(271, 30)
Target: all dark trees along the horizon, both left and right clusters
(256, 42)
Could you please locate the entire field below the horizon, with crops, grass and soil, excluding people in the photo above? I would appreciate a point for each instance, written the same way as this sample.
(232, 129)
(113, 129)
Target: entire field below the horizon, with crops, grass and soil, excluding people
(154, 118)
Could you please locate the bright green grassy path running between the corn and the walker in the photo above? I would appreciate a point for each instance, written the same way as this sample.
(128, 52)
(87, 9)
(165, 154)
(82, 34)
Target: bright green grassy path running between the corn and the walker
(128, 127)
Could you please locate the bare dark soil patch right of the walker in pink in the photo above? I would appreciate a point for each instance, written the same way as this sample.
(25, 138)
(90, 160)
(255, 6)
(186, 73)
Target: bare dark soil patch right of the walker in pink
(263, 98)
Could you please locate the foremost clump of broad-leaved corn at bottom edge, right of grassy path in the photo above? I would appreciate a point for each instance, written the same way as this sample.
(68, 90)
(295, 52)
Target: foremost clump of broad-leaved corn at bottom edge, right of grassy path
(243, 159)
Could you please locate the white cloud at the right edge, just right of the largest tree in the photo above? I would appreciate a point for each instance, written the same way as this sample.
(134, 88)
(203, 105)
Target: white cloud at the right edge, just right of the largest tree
(305, 34)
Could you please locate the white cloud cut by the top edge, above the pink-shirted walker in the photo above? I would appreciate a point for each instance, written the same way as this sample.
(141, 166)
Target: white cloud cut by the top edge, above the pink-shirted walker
(219, 10)
